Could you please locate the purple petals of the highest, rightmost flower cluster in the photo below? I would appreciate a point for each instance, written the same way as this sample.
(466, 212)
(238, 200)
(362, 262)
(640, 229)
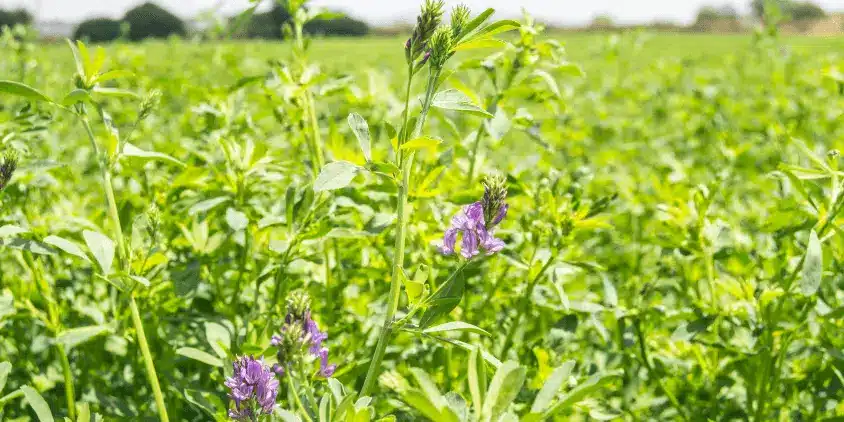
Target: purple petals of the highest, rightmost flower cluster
(477, 233)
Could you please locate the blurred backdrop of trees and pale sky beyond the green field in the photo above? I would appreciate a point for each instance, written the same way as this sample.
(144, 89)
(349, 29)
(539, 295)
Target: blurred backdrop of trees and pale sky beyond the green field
(106, 20)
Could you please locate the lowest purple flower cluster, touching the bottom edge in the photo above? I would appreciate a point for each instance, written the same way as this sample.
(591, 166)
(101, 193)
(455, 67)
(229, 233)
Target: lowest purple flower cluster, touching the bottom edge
(254, 388)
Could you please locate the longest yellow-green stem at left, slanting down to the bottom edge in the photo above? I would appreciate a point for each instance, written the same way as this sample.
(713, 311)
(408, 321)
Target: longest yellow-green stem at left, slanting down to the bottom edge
(124, 263)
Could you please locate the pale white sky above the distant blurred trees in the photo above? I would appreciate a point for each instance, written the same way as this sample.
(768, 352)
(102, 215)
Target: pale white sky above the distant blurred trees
(392, 11)
